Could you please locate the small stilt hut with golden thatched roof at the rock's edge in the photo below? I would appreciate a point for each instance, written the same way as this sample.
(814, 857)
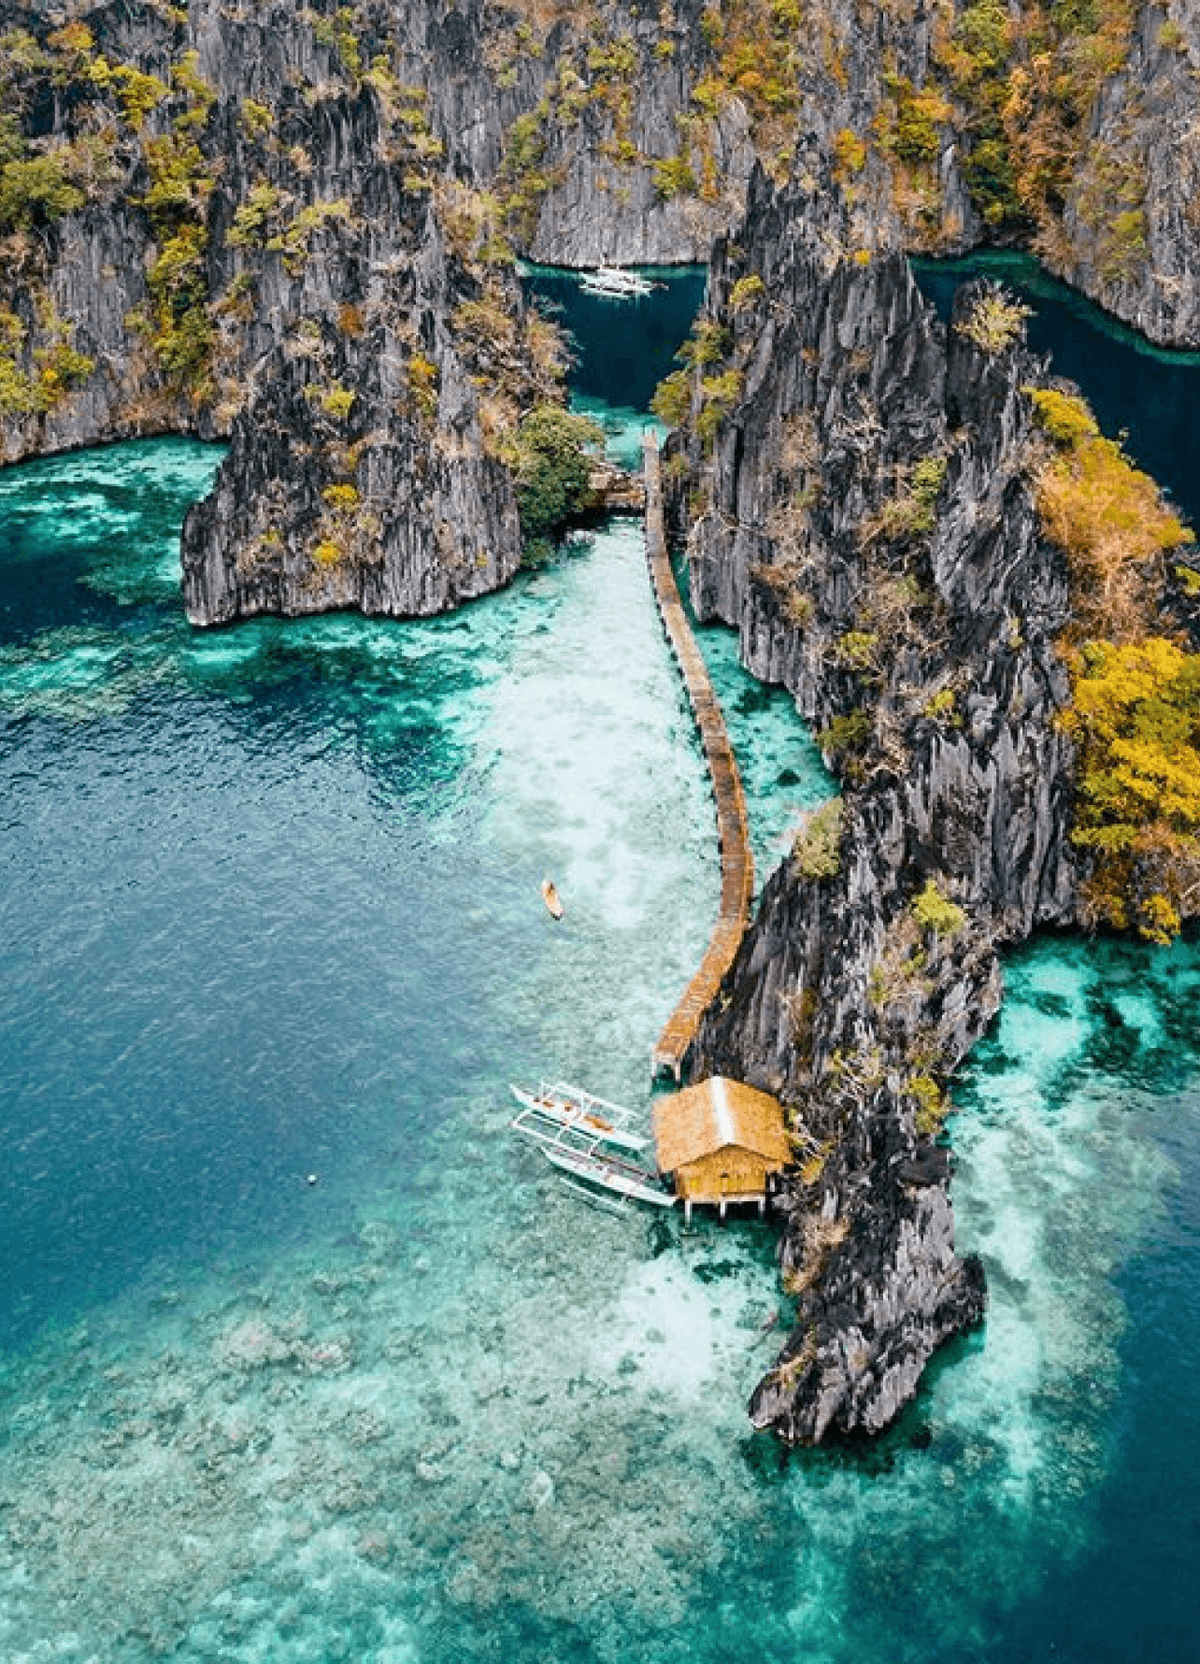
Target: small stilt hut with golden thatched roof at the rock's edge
(720, 1141)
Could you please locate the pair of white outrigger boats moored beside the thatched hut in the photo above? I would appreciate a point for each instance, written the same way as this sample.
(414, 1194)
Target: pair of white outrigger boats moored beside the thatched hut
(590, 1142)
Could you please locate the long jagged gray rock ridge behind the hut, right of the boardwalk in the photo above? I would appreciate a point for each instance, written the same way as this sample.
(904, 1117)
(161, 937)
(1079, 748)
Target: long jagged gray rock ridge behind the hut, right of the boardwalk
(911, 607)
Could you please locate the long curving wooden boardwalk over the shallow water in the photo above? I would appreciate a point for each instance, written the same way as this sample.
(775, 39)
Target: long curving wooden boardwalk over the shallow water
(733, 828)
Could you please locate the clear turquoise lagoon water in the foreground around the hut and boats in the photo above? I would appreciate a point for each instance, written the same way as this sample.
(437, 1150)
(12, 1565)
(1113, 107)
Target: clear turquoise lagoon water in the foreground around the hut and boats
(270, 913)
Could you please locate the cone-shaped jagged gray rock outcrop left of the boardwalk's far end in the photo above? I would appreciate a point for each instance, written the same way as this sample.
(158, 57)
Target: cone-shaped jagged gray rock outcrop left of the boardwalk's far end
(359, 472)
